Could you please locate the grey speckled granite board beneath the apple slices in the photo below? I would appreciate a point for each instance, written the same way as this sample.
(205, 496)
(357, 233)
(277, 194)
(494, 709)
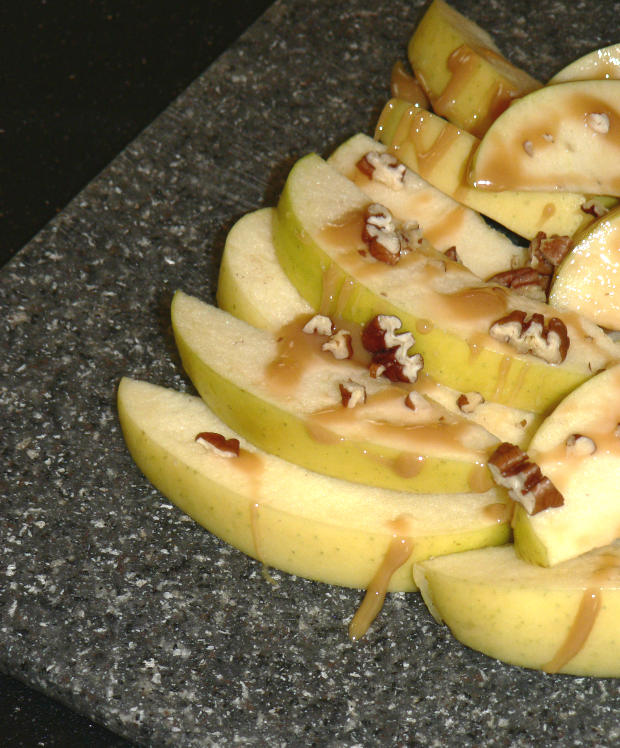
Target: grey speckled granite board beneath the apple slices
(113, 601)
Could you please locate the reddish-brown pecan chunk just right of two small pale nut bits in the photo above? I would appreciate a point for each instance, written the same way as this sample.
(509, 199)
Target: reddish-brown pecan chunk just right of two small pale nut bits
(390, 350)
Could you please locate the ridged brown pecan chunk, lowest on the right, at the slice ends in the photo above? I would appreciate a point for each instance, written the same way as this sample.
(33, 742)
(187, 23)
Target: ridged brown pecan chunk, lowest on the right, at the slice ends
(512, 469)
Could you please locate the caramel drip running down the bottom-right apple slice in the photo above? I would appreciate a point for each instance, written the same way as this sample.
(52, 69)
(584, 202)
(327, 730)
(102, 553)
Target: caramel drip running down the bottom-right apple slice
(585, 618)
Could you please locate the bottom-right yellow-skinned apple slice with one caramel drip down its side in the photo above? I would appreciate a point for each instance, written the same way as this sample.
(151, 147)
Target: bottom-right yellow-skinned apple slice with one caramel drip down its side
(563, 619)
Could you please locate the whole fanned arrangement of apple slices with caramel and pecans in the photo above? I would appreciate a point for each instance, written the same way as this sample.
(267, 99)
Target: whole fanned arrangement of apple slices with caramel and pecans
(394, 395)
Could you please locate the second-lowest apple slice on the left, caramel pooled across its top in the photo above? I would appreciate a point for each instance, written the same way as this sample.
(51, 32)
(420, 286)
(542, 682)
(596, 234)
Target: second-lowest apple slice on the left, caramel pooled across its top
(243, 375)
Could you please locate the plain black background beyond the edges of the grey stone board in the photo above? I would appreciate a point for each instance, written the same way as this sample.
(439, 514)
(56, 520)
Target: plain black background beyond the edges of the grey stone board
(81, 78)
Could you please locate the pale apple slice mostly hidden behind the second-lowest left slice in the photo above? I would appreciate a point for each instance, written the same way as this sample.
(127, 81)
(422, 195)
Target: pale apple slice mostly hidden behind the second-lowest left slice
(254, 288)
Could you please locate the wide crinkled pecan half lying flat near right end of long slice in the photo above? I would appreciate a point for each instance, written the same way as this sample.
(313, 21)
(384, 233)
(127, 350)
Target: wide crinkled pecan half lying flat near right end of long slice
(548, 341)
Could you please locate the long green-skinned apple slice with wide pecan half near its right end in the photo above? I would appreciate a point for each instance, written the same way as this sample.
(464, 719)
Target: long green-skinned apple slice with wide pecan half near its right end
(319, 249)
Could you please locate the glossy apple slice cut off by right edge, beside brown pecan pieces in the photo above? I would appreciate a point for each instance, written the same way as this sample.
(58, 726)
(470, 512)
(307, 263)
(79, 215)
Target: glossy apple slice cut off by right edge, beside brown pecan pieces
(588, 280)
